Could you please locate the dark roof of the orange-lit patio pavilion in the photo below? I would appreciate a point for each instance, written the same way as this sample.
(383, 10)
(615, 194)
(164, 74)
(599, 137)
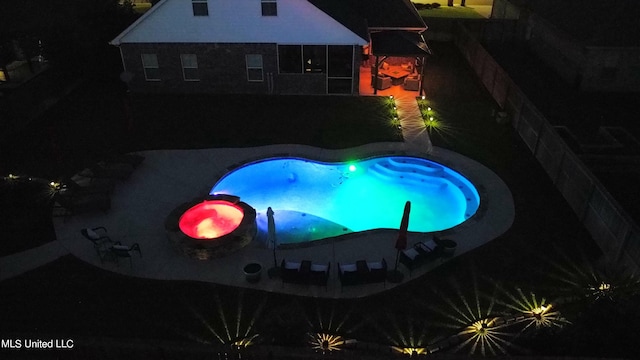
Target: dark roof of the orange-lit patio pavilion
(398, 43)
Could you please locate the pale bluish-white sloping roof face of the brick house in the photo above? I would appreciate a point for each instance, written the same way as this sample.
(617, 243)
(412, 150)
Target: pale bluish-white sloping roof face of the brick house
(238, 21)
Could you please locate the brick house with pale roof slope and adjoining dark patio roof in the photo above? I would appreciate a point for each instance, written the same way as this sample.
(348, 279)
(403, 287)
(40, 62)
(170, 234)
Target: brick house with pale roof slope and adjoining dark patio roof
(265, 46)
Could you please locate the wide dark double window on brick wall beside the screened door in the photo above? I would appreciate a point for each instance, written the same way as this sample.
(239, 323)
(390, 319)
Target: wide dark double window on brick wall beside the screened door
(299, 59)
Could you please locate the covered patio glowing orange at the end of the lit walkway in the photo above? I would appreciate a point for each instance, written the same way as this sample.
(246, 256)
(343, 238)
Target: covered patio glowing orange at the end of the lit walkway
(393, 64)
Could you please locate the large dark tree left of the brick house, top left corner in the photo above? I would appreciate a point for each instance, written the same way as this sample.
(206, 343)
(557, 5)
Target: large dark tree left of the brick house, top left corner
(73, 35)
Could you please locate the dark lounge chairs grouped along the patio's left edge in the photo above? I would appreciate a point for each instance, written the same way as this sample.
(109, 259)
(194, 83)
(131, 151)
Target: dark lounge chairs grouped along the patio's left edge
(90, 190)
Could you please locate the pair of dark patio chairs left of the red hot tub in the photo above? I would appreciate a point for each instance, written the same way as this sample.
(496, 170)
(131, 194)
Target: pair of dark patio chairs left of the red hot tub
(107, 249)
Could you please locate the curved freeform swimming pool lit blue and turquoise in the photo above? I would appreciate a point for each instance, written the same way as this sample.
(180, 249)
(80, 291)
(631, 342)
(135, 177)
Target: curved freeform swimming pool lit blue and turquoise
(312, 200)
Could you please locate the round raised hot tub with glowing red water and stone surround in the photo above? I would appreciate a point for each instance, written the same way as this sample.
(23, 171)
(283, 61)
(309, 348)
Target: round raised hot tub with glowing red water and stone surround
(211, 228)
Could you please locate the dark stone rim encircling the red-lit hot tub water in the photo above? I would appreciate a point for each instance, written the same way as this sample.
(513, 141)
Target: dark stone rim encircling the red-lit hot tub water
(211, 248)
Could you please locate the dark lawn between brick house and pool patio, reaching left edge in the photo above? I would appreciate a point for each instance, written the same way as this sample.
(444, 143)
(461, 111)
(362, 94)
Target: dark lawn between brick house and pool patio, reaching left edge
(98, 119)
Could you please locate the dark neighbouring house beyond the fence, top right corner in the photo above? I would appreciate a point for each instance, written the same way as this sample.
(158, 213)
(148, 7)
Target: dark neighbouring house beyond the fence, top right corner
(591, 44)
